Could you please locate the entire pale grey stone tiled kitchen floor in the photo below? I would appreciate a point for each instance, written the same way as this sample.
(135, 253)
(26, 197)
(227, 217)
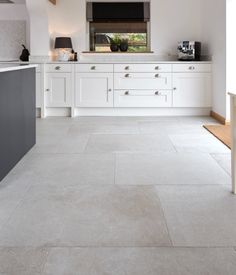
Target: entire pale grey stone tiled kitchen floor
(118, 196)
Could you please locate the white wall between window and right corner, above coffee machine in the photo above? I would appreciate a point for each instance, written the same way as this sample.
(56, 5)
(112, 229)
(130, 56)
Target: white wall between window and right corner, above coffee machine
(173, 21)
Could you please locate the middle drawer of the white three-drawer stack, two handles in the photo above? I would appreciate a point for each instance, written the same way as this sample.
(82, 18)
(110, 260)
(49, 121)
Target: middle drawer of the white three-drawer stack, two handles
(143, 81)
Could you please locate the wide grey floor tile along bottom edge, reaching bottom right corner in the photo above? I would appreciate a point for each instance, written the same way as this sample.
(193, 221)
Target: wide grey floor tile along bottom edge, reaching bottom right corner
(140, 261)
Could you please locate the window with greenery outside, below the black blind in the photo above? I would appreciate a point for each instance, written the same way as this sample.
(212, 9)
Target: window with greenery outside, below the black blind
(103, 34)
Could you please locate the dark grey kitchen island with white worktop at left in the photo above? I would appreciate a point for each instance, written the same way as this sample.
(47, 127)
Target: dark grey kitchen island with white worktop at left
(17, 115)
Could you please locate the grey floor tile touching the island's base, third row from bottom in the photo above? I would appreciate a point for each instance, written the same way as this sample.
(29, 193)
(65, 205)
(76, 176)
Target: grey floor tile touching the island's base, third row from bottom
(68, 169)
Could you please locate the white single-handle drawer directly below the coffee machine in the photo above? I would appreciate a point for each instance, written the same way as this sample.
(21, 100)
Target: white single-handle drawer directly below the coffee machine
(192, 67)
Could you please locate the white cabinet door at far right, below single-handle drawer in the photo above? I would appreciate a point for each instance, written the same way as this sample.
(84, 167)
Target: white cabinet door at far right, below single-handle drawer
(192, 90)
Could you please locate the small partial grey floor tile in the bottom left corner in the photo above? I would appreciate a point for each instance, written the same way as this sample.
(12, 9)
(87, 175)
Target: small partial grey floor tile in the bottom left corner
(22, 261)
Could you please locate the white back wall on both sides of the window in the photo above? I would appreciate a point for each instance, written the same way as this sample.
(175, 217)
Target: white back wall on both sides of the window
(171, 21)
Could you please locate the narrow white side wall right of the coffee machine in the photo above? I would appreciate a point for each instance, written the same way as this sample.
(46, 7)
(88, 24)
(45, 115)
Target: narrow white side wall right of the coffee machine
(214, 34)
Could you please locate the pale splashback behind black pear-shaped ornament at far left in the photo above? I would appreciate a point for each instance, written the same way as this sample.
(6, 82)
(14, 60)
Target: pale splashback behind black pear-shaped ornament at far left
(12, 36)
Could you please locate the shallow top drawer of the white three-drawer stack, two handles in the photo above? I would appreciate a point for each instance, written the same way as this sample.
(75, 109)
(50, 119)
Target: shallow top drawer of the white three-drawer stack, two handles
(137, 68)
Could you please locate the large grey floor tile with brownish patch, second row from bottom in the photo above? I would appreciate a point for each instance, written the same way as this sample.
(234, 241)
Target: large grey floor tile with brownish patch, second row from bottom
(87, 216)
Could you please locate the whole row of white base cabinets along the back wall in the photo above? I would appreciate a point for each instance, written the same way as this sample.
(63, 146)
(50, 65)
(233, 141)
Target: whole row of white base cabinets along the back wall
(123, 89)
